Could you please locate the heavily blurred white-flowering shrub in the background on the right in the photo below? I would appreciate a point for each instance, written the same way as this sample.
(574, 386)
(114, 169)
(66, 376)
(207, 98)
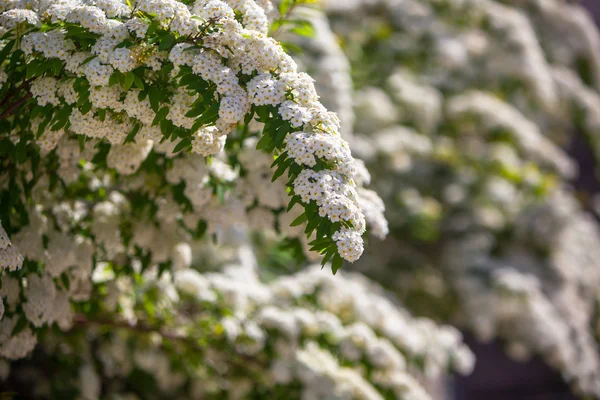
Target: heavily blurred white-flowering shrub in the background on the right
(463, 111)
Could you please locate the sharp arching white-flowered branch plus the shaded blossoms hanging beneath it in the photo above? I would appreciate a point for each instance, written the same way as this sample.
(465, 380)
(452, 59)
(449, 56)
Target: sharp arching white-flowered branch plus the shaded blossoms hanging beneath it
(132, 130)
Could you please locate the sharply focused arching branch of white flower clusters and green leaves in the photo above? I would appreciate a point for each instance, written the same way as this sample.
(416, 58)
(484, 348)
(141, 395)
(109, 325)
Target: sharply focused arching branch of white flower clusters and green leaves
(128, 77)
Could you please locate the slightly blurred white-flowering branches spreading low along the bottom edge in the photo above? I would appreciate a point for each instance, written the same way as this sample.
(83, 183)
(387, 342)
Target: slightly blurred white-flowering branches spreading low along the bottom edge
(230, 335)
